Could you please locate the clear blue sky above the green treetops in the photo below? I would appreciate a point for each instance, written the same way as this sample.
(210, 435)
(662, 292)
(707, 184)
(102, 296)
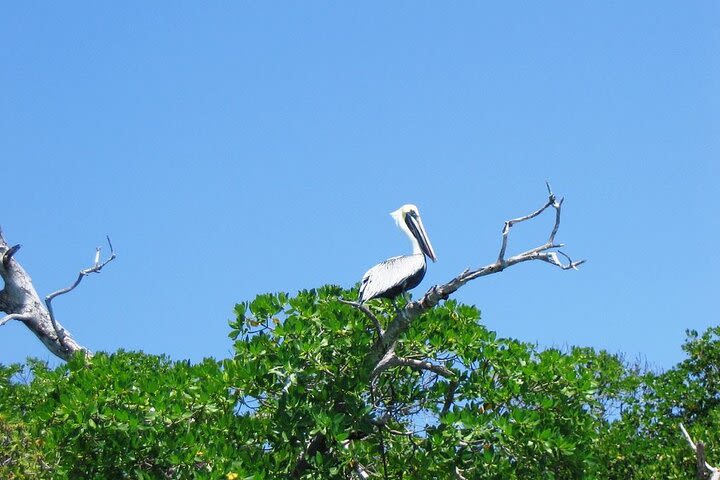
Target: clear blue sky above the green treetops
(235, 148)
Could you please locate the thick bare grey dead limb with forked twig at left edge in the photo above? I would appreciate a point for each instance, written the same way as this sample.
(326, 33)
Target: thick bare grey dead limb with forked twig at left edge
(21, 302)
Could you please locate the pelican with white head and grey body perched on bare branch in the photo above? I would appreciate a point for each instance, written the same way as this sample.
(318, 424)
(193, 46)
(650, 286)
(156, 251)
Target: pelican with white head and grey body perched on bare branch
(399, 274)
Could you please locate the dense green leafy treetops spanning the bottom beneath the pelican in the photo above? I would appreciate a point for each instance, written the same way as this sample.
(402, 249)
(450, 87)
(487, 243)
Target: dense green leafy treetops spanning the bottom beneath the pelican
(299, 374)
